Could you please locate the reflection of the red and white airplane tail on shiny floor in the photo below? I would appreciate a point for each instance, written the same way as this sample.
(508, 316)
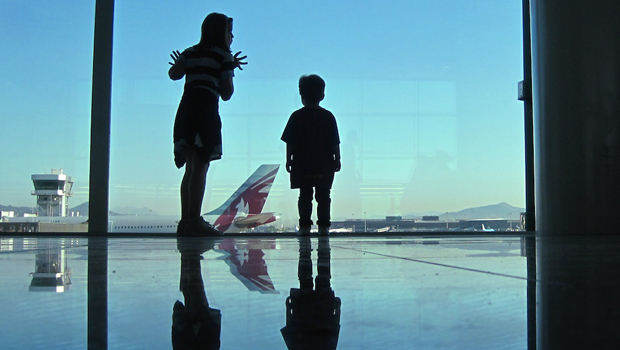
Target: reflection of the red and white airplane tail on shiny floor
(246, 262)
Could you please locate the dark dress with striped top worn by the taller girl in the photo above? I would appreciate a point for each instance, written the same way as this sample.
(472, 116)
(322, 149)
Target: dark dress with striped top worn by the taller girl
(197, 124)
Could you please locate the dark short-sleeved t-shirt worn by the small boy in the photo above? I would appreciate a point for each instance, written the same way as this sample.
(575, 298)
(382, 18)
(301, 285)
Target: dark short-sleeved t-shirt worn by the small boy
(313, 133)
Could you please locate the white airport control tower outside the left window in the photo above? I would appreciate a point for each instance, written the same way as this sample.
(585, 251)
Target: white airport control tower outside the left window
(53, 192)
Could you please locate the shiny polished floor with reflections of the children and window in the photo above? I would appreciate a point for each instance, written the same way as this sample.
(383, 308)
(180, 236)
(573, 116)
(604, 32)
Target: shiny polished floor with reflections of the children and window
(409, 292)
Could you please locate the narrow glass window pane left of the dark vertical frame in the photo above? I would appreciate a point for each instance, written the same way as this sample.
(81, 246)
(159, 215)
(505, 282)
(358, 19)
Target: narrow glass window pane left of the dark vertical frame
(45, 100)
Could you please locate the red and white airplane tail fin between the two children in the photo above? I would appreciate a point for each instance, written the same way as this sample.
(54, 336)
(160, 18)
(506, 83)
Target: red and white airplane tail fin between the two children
(248, 200)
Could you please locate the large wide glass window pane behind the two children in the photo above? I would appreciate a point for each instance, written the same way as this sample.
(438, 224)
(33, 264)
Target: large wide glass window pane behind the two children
(424, 93)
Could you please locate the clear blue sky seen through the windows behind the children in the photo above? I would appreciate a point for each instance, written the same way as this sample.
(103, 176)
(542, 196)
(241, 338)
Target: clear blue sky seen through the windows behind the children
(424, 92)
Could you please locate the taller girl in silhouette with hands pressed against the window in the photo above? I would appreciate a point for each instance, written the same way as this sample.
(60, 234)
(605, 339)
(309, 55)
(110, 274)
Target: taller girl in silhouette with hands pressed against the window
(208, 69)
